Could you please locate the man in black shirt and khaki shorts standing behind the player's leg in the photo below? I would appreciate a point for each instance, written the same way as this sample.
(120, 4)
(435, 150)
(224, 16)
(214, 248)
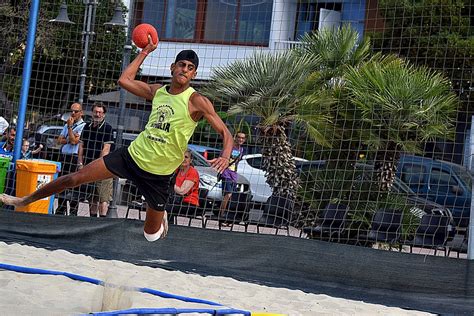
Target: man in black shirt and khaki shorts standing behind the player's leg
(96, 140)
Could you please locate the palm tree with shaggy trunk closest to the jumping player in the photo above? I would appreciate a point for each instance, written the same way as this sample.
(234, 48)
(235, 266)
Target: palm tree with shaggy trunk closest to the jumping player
(265, 85)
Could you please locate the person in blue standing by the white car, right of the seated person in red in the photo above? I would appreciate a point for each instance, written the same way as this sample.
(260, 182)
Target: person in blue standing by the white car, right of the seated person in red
(229, 176)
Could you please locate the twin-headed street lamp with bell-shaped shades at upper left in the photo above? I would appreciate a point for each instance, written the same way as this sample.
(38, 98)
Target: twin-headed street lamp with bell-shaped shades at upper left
(88, 32)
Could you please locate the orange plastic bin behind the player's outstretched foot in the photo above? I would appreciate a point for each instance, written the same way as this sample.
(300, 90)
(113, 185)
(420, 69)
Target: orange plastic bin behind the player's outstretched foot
(30, 176)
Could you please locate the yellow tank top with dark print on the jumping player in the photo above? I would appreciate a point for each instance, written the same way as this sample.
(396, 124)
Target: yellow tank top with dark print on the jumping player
(159, 149)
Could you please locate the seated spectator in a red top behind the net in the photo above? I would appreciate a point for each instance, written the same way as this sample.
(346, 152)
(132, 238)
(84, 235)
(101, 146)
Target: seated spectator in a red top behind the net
(187, 181)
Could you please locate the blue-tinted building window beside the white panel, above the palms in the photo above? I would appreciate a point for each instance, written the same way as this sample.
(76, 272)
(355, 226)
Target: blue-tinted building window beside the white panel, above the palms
(308, 16)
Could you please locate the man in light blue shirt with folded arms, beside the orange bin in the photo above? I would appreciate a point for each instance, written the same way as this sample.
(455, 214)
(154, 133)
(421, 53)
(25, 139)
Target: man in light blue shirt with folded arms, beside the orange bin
(69, 139)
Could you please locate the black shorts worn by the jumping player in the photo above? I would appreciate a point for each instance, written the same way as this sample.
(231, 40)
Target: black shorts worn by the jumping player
(155, 188)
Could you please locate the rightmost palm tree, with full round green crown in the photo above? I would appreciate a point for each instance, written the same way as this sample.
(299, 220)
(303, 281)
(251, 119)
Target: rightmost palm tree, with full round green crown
(400, 108)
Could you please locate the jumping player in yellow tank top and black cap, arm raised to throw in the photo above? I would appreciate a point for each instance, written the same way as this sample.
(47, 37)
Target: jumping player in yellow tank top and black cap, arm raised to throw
(151, 159)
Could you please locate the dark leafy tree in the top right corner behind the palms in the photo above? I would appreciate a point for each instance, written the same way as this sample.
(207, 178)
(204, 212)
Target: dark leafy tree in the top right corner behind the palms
(437, 34)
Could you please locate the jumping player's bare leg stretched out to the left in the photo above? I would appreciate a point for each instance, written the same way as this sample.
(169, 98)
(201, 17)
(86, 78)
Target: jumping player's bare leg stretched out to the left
(94, 171)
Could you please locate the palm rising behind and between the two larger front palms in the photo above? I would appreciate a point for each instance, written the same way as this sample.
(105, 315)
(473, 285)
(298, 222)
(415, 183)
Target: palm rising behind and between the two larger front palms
(335, 50)
